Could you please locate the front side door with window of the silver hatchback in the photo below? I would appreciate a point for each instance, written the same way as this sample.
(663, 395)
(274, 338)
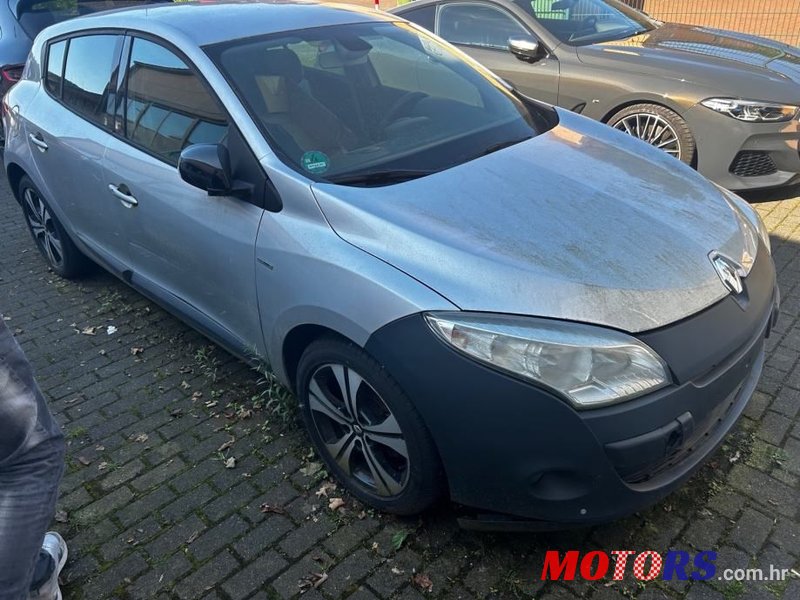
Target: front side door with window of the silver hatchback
(192, 252)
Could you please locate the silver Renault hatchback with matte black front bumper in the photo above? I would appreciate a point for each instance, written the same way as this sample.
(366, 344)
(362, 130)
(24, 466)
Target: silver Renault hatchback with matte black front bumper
(471, 293)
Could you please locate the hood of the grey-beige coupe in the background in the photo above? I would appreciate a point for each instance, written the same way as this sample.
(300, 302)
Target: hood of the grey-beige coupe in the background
(692, 52)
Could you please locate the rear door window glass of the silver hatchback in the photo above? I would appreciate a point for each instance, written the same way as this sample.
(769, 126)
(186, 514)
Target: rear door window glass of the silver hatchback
(90, 74)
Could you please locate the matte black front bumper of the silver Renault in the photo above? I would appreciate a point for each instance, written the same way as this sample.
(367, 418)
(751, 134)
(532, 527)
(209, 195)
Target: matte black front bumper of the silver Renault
(517, 451)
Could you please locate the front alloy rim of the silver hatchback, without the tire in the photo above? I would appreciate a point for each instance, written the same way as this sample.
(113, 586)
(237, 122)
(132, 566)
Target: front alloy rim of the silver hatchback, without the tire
(358, 430)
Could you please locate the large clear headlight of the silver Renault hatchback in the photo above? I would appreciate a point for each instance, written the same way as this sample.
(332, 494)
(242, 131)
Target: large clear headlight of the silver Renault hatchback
(590, 366)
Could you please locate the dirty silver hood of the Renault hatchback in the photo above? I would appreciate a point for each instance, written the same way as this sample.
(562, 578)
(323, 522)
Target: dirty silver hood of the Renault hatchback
(581, 222)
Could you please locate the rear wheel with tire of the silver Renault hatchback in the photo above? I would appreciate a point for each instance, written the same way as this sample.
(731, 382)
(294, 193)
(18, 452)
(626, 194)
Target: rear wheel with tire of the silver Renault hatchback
(48, 234)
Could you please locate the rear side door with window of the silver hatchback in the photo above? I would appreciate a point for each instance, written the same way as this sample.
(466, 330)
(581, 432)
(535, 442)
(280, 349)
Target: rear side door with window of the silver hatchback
(68, 126)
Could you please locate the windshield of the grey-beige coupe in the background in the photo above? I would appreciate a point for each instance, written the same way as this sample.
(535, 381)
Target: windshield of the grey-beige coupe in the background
(582, 22)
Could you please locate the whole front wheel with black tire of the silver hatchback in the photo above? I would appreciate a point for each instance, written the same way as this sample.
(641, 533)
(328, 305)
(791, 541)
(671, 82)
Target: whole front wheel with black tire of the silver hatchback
(385, 455)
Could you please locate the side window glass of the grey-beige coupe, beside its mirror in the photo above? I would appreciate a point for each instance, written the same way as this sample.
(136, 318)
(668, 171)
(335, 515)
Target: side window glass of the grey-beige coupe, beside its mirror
(476, 24)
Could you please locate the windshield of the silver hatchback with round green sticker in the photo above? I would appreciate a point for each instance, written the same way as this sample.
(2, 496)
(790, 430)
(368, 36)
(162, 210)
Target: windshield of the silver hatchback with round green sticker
(373, 103)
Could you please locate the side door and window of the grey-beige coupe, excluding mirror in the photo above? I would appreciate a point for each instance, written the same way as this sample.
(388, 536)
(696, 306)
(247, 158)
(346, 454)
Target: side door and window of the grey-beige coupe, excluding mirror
(482, 29)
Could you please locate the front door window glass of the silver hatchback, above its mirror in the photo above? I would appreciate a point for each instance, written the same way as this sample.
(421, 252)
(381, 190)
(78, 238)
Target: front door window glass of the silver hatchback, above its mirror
(167, 107)
